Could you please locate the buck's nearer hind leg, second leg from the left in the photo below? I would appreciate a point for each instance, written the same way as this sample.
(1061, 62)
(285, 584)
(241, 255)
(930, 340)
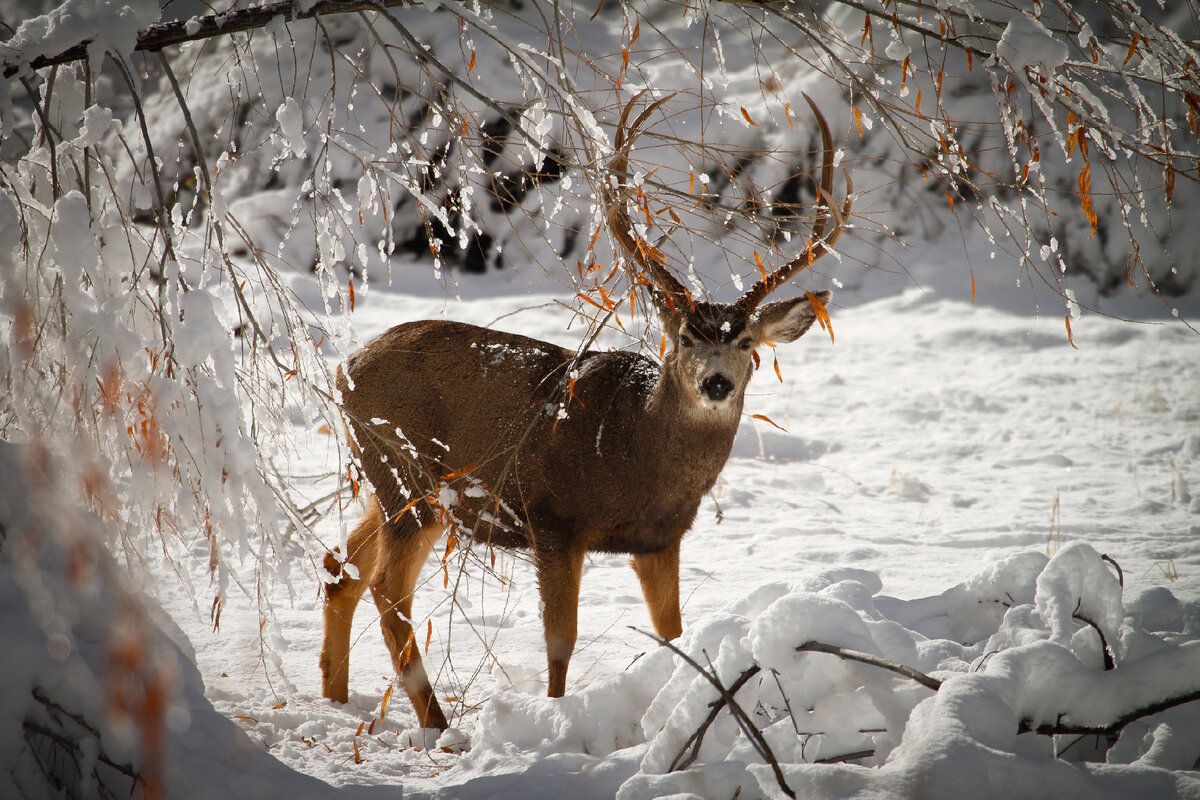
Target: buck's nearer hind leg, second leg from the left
(403, 557)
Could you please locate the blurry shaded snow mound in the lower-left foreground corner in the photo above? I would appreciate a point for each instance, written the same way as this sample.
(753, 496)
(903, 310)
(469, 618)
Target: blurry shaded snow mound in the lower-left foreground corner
(100, 693)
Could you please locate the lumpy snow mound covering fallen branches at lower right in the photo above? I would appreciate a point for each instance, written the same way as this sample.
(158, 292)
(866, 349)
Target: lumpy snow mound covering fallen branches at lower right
(1028, 700)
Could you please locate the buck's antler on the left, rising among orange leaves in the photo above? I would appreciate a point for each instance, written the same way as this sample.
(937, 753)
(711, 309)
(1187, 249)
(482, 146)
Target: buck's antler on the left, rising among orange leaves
(641, 252)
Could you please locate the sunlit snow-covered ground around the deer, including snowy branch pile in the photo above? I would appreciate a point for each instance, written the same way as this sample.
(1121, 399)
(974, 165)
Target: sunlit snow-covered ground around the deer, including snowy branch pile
(933, 455)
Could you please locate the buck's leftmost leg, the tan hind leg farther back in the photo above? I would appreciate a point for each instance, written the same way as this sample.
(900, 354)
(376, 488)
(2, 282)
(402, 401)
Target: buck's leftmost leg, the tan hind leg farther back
(343, 598)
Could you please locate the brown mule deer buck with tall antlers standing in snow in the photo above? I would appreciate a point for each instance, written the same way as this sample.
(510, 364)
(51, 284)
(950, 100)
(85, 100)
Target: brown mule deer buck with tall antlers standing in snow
(434, 405)
